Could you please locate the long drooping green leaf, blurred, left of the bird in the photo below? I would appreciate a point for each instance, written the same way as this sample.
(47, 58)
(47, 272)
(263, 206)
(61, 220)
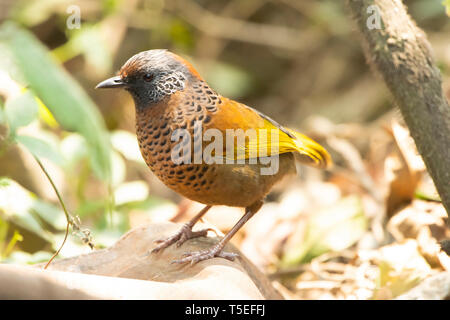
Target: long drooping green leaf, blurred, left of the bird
(62, 95)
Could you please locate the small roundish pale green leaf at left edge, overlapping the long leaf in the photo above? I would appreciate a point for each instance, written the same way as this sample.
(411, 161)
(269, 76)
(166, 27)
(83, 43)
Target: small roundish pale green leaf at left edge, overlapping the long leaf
(21, 110)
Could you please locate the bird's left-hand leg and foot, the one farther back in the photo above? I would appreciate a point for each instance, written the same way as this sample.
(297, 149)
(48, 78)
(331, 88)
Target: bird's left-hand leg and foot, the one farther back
(185, 233)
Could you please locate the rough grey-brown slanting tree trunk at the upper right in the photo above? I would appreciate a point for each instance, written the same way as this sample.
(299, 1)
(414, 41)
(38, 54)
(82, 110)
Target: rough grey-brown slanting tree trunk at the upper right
(400, 52)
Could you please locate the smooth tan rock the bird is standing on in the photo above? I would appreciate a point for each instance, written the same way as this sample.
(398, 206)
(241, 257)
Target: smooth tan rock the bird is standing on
(130, 258)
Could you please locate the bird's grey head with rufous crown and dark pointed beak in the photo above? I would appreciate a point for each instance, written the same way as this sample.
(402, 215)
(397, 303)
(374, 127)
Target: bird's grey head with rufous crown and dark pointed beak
(150, 76)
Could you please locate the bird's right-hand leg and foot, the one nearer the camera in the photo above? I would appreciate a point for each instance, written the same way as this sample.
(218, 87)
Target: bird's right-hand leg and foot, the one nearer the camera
(216, 251)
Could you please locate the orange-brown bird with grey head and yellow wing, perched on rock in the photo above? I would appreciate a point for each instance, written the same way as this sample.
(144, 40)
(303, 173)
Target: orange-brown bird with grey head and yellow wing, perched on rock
(169, 96)
